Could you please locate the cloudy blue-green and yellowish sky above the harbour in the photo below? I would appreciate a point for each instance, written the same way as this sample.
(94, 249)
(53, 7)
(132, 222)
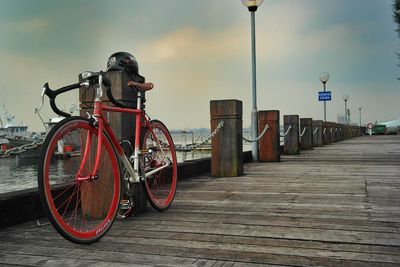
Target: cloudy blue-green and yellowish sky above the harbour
(200, 50)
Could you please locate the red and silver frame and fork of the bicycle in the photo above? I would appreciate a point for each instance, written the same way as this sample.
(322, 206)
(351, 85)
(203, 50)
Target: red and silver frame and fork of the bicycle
(103, 125)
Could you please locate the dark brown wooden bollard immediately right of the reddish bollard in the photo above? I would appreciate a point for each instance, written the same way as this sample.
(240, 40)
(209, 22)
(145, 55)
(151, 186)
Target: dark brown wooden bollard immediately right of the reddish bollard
(291, 141)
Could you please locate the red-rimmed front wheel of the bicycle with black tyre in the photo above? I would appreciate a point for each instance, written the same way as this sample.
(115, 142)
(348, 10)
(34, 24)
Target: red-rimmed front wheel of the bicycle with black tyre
(83, 210)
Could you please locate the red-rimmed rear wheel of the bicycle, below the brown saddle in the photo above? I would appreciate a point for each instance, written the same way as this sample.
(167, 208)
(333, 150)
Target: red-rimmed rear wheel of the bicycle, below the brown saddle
(160, 187)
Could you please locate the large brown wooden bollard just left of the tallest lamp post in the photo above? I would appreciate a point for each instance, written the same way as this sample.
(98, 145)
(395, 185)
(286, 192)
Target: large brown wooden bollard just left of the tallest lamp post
(227, 144)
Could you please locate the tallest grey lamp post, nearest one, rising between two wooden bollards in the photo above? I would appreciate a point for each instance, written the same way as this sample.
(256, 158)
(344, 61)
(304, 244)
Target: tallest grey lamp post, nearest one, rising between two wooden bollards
(252, 5)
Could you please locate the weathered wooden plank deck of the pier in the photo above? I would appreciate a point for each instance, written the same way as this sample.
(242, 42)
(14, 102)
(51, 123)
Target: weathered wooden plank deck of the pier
(338, 205)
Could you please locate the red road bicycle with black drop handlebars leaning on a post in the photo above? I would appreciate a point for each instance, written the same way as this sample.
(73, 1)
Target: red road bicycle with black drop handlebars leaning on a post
(83, 169)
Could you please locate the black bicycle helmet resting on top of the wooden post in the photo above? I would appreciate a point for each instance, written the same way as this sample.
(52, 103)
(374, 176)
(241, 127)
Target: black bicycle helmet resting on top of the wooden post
(125, 62)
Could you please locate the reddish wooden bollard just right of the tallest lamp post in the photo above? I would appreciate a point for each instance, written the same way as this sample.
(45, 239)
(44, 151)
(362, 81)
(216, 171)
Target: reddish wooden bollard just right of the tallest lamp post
(270, 147)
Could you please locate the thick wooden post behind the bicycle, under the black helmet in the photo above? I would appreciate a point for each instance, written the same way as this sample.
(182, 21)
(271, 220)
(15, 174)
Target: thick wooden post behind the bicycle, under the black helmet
(123, 126)
